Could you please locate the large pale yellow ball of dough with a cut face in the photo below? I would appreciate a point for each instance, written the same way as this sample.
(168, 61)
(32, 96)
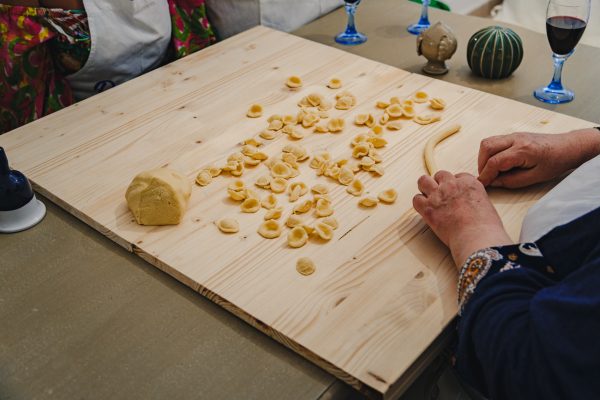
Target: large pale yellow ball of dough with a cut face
(158, 197)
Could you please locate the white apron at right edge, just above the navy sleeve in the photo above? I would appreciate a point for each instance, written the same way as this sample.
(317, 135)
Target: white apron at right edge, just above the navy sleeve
(576, 195)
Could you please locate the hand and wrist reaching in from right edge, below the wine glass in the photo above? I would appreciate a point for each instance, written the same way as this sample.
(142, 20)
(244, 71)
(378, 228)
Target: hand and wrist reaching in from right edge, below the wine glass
(523, 159)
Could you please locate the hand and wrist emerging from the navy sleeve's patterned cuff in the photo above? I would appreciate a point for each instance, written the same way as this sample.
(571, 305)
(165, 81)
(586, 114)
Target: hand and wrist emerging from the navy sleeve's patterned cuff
(459, 212)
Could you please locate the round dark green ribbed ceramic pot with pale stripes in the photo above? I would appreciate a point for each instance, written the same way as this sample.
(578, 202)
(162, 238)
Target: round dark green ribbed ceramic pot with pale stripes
(494, 52)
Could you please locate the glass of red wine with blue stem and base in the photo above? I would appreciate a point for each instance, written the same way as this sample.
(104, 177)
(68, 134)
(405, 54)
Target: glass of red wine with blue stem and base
(565, 23)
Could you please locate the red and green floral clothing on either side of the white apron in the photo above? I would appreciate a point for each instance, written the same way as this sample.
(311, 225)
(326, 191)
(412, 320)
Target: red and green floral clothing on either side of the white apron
(39, 47)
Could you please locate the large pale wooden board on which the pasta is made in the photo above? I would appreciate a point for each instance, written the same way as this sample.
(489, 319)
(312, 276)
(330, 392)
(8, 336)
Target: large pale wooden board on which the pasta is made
(384, 288)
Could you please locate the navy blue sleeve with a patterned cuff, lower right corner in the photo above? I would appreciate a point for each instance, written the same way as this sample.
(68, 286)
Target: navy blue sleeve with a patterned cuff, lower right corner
(526, 334)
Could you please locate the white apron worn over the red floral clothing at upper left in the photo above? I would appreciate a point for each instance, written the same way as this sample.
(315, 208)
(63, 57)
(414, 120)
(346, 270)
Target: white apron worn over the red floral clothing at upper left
(129, 37)
